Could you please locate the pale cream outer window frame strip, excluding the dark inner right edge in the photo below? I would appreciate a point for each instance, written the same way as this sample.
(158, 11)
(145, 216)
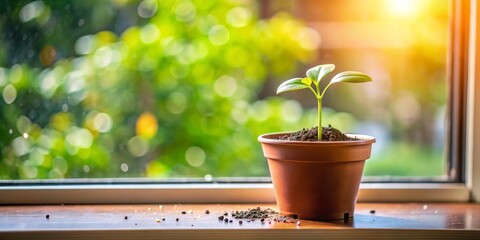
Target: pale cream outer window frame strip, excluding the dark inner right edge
(263, 192)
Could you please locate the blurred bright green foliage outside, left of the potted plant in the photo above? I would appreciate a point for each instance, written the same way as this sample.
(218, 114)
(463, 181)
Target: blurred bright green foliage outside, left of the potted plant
(175, 96)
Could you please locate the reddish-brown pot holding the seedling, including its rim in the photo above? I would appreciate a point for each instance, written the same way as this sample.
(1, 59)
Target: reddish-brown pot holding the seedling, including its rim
(316, 180)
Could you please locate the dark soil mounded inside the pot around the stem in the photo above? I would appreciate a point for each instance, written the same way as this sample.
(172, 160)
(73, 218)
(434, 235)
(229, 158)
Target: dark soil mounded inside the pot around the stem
(310, 135)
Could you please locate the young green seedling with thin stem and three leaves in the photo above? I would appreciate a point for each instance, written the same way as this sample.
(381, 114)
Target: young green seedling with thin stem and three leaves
(314, 76)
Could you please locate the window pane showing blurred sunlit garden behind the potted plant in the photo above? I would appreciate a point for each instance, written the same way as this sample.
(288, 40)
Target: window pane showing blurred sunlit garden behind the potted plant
(123, 88)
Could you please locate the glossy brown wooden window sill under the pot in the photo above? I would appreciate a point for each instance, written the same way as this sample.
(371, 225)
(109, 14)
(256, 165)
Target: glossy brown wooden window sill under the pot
(371, 220)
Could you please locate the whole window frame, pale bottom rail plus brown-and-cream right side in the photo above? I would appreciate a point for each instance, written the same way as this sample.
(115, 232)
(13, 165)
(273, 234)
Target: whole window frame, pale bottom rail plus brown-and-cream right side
(464, 131)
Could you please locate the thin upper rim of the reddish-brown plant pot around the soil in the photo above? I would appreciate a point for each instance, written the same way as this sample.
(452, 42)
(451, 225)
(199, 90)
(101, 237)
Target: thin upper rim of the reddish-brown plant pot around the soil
(271, 139)
